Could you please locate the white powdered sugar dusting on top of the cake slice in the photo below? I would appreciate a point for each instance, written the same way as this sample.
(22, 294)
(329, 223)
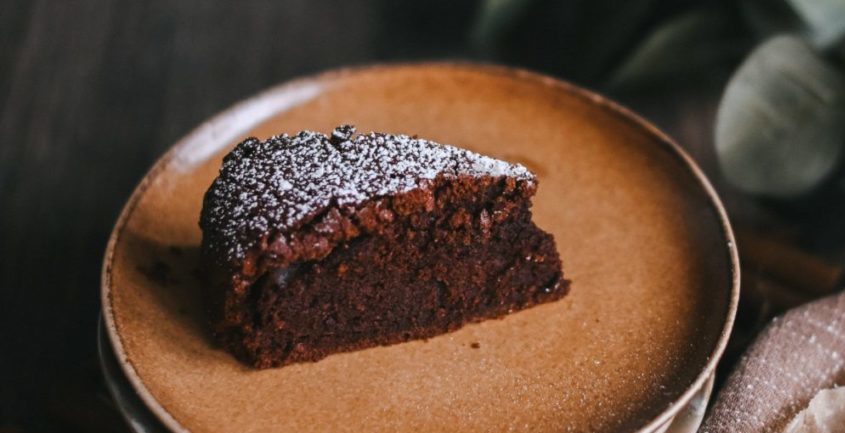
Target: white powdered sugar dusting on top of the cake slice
(284, 181)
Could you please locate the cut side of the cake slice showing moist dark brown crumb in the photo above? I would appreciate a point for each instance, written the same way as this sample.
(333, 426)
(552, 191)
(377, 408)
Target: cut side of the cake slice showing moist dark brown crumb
(421, 274)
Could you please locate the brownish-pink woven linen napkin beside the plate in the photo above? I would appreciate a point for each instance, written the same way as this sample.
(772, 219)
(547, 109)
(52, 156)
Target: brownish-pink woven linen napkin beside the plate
(795, 357)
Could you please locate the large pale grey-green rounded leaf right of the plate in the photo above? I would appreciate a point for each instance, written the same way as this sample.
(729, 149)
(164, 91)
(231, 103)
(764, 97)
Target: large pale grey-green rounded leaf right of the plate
(780, 127)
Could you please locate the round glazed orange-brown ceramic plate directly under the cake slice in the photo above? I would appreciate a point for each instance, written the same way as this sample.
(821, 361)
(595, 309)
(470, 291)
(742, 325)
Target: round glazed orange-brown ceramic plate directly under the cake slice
(641, 233)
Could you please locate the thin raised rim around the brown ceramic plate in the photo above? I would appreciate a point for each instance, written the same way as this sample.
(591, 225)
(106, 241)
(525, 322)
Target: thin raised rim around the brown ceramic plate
(610, 106)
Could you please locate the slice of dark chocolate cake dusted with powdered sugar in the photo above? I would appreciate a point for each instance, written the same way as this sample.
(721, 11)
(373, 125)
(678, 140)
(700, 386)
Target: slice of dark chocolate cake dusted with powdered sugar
(318, 245)
